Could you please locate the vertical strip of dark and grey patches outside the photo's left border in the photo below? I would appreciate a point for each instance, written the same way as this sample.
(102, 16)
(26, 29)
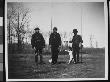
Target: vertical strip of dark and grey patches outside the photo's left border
(1, 40)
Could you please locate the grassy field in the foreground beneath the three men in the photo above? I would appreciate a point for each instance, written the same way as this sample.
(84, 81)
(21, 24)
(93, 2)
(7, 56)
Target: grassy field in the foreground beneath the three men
(23, 66)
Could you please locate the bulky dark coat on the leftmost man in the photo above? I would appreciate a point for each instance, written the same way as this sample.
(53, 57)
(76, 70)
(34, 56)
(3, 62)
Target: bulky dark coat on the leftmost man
(37, 41)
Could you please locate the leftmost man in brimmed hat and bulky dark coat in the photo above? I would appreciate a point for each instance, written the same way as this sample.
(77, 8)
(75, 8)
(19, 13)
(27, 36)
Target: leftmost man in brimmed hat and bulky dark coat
(38, 43)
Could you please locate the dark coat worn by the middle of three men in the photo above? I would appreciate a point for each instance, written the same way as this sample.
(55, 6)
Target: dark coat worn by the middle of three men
(55, 39)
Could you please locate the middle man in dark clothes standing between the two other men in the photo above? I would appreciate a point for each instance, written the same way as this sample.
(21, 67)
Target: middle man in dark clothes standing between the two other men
(55, 43)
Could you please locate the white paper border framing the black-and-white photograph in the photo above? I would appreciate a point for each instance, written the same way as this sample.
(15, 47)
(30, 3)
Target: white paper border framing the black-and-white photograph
(65, 79)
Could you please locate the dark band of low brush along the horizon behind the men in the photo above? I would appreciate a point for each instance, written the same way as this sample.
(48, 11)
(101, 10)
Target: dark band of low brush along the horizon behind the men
(27, 49)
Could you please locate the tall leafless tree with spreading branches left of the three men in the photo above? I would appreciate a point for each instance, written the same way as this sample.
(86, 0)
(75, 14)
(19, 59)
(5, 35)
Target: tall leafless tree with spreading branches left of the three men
(18, 17)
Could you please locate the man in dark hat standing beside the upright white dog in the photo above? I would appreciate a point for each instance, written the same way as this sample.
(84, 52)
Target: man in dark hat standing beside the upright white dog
(76, 45)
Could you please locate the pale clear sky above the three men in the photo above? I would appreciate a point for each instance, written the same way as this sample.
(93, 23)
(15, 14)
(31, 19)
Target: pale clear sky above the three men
(69, 15)
